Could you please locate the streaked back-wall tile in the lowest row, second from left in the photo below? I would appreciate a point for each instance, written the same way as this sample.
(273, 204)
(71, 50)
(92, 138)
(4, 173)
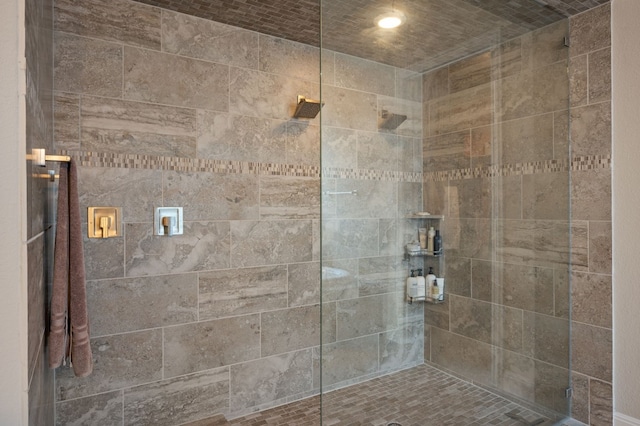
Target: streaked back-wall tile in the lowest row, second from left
(186, 398)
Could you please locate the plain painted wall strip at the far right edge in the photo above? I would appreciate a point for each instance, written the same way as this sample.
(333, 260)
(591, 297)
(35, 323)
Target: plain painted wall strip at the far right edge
(626, 154)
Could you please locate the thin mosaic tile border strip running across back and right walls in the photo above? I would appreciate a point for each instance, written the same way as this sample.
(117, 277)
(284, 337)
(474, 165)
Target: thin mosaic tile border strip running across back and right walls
(139, 161)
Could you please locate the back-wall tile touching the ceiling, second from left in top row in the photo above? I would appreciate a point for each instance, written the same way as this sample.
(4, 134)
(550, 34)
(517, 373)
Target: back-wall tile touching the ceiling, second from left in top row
(186, 35)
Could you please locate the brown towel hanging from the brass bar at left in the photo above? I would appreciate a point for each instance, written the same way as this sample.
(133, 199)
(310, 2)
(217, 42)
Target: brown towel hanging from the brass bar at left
(69, 328)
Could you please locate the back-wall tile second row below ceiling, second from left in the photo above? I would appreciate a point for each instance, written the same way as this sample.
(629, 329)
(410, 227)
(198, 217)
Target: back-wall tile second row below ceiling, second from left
(174, 80)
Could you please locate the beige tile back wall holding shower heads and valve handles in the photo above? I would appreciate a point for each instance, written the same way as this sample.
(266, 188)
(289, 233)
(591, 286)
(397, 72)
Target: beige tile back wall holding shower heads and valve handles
(163, 109)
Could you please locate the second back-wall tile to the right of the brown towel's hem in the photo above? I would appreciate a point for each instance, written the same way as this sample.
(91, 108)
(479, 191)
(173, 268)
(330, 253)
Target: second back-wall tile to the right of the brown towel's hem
(211, 344)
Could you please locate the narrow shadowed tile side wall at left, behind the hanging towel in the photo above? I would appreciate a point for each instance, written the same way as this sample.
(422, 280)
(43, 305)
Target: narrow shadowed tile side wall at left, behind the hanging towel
(40, 201)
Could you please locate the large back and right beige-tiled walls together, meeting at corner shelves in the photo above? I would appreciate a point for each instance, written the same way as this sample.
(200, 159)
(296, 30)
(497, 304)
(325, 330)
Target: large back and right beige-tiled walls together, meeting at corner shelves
(164, 109)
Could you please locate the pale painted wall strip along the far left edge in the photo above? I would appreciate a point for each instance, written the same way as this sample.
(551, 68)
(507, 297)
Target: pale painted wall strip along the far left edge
(13, 352)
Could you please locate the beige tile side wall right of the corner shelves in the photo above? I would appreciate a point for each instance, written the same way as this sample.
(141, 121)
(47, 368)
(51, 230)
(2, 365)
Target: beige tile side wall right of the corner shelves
(497, 164)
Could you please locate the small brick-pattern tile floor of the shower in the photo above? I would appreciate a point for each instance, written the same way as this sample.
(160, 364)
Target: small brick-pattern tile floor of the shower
(419, 396)
